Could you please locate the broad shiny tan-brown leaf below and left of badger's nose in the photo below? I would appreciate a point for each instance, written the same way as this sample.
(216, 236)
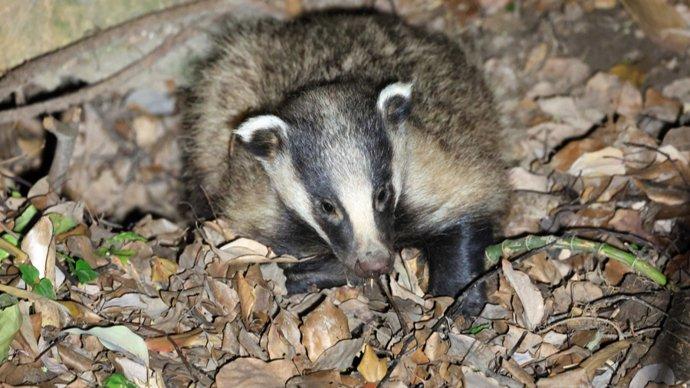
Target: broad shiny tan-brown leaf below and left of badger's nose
(323, 328)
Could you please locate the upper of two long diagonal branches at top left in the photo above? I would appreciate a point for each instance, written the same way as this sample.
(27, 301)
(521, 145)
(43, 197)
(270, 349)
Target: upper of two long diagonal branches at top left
(19, 75)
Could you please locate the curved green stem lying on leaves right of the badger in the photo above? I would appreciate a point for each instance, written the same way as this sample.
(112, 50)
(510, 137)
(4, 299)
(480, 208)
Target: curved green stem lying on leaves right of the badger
(576, 245)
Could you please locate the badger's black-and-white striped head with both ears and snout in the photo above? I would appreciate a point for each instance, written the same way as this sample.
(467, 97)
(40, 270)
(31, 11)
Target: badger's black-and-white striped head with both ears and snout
(329, 153)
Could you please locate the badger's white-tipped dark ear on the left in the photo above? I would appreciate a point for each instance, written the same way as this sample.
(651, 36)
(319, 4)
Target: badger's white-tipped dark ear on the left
(263, 135)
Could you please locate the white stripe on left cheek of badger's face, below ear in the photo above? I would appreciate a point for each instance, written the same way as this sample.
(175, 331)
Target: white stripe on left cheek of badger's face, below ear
(292, 192)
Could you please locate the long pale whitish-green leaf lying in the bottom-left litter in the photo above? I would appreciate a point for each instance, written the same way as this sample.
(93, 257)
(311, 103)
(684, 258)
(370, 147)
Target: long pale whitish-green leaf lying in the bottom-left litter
(118, 338)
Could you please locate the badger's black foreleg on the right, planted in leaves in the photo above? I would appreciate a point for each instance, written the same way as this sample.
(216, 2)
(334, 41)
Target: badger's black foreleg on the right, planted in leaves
(456, 258)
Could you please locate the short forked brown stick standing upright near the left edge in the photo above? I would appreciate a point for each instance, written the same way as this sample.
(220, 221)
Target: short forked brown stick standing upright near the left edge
(66, 132)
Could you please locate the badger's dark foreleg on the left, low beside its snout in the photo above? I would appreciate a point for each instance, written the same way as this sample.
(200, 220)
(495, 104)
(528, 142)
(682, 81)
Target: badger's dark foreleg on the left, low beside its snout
(321, 272)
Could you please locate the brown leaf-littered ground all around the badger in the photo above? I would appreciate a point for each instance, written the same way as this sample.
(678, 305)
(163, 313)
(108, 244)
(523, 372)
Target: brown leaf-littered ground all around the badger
(106, 278)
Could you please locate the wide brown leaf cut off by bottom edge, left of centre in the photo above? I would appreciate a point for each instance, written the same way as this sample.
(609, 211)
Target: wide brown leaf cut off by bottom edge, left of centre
(252, 372)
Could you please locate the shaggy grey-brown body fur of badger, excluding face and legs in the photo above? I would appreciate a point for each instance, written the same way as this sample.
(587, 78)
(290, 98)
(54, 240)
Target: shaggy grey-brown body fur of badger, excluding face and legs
(449, 161)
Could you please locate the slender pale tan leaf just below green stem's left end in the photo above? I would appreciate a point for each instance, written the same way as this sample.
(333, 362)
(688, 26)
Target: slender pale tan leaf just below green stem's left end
(528, 293)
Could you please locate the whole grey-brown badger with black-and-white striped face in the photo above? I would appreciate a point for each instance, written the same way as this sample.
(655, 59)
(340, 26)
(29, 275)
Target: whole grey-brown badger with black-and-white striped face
(343, 137)
